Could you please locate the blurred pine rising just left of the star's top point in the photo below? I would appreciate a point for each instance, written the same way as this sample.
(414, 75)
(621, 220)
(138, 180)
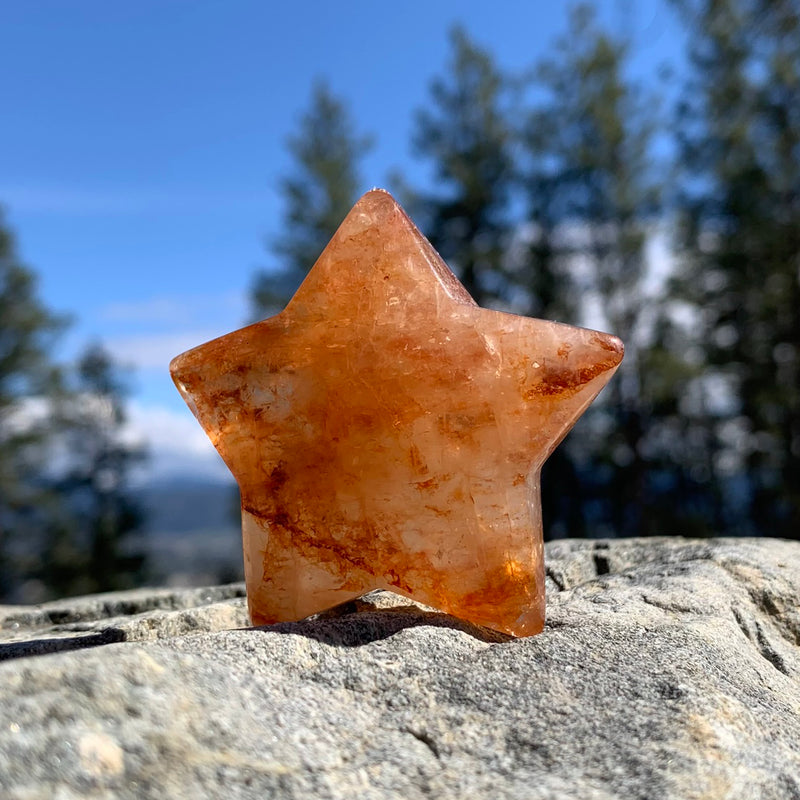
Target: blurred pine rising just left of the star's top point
(321, 188)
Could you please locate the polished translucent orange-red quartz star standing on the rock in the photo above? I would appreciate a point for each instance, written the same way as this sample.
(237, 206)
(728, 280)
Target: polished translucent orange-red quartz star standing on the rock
(386, 432)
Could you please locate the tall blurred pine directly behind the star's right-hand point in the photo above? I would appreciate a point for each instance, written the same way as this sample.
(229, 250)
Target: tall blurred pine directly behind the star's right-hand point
(592, 200)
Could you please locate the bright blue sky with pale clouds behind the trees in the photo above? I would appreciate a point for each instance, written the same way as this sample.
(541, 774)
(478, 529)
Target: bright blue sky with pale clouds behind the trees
(141, 144)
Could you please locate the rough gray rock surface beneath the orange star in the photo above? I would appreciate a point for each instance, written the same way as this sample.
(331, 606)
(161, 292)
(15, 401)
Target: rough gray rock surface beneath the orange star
(669, 668)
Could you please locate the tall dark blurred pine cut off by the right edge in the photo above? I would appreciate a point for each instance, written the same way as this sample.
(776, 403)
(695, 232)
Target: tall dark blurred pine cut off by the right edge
(740, 143)
